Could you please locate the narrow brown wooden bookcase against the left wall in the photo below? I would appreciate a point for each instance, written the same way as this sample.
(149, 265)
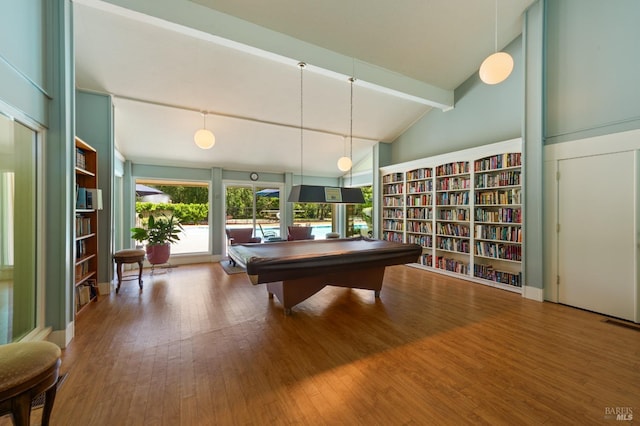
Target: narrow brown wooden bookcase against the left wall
(86, 225)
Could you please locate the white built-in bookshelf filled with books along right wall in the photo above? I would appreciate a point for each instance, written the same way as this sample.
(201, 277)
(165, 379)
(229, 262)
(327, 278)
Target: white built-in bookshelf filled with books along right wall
(464, 208)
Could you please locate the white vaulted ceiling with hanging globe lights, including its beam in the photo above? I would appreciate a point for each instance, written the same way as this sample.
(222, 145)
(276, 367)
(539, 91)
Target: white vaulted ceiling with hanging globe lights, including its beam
(168, 60)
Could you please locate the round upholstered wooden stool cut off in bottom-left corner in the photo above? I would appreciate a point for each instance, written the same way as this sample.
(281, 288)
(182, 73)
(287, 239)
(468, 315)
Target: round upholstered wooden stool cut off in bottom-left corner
(26, 370)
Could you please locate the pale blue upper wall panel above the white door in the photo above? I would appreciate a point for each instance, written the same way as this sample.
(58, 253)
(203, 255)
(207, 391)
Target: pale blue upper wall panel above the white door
(593, 68)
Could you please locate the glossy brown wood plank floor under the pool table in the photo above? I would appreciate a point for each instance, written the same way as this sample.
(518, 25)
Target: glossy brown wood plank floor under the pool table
(200, 347)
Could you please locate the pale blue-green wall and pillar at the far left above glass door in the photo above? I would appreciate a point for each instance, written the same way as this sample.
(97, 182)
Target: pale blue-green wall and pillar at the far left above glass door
(37, 84)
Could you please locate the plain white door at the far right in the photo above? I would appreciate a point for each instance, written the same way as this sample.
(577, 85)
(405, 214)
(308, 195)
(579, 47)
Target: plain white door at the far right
(596, 241)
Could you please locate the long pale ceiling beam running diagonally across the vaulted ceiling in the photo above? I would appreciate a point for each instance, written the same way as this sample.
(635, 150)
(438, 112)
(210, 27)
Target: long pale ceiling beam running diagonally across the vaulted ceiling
(193, 19)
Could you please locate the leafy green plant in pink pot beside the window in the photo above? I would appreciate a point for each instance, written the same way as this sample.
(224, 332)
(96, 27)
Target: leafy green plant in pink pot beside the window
(159, 233)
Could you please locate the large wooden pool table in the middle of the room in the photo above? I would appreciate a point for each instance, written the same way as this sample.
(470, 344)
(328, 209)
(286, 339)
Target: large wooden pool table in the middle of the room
(296, 270)
